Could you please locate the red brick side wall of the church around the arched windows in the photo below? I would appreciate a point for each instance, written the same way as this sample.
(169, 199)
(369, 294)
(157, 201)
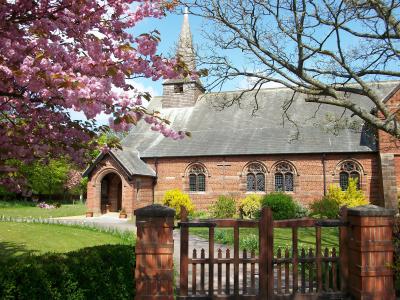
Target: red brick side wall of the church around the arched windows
(231, 178)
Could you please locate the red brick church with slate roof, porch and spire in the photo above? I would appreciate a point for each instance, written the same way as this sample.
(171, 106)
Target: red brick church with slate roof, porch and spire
(236, 150)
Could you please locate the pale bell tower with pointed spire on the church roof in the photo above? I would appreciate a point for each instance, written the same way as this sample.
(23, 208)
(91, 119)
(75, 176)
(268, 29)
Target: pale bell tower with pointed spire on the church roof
(183, 92)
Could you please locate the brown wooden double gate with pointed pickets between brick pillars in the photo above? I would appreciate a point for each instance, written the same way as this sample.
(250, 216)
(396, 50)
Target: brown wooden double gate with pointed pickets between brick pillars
(273, 273)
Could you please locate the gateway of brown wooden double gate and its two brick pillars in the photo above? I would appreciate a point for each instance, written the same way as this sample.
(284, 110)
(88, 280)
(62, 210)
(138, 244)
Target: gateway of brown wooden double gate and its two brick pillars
(292, 272)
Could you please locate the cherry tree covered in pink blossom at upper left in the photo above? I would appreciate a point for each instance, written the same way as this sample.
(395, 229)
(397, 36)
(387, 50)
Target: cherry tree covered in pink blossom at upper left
(62, 55)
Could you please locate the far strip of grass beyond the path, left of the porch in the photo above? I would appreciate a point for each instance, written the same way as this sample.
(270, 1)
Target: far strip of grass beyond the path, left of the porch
(29, 209)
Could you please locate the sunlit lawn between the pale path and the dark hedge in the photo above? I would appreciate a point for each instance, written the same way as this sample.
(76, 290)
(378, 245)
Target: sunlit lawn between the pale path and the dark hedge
(21, 238)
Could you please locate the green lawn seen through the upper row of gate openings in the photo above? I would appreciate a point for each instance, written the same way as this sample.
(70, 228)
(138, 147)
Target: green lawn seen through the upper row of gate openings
(248, 237)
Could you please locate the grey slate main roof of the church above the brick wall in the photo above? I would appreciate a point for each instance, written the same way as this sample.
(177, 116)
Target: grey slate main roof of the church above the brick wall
(235, 131)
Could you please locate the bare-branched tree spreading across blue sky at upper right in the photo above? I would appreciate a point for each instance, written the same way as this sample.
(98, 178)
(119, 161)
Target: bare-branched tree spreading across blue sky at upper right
(276, 43)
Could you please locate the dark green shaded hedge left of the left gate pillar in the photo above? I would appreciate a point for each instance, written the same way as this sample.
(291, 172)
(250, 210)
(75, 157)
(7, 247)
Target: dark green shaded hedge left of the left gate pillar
(82, 274)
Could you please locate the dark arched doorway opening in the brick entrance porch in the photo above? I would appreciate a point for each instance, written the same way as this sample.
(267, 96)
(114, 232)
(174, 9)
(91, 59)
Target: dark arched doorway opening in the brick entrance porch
(111, 193)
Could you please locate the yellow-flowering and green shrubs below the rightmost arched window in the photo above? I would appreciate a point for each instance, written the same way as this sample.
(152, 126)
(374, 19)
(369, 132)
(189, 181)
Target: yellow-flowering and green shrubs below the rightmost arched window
(329, 205)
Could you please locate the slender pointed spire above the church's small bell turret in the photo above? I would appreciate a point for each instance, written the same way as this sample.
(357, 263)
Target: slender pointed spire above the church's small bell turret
(185, 46)
